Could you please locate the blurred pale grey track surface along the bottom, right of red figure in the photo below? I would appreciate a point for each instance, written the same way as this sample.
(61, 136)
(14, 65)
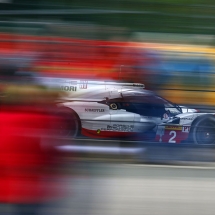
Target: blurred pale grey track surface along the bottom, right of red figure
(125, 189)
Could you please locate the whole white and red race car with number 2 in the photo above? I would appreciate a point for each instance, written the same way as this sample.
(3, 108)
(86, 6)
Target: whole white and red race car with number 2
(99, 109)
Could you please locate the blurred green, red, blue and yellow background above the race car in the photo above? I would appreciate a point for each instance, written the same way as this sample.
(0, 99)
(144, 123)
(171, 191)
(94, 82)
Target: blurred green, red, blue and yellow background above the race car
(168, 45)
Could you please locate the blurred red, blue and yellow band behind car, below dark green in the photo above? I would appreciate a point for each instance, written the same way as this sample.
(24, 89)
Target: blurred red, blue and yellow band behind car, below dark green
(181, 73)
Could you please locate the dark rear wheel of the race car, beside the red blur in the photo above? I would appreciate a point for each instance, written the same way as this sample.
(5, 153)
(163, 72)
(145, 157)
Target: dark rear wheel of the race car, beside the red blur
(70, 125)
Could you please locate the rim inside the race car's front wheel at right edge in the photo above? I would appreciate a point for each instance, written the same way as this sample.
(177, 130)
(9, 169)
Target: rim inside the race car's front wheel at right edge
(205, 133)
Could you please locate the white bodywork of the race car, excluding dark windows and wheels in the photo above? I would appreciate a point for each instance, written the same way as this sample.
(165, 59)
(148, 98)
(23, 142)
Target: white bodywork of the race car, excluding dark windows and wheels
(90, 100)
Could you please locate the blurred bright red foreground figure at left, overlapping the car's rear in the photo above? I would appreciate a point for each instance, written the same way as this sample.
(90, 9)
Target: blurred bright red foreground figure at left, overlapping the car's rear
(30, 176)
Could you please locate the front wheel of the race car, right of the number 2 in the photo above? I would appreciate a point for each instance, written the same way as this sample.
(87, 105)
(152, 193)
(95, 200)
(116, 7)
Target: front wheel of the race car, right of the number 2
(203, 130)
